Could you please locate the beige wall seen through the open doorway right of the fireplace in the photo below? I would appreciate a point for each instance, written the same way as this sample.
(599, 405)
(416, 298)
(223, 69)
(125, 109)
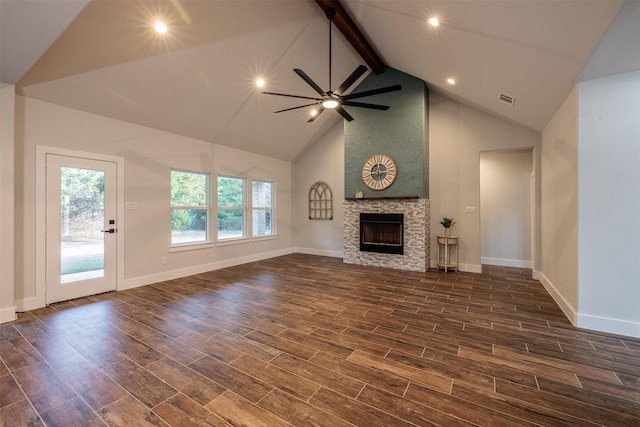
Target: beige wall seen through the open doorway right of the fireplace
(505, 206)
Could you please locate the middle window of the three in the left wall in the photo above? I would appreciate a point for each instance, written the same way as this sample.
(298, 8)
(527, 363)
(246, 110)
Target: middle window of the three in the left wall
(231, 207)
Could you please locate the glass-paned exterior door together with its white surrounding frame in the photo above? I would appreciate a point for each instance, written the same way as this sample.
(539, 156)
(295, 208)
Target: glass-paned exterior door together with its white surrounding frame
(79, 209)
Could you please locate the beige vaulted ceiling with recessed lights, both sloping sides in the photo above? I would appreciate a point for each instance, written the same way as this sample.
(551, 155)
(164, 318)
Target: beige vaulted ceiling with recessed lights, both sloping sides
(103, 57)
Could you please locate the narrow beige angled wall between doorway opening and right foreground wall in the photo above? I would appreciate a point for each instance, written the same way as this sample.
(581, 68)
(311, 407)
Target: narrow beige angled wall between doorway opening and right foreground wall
(559, 231)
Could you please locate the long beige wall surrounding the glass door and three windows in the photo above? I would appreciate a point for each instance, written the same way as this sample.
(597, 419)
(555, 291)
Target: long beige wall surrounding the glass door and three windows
(149, 155)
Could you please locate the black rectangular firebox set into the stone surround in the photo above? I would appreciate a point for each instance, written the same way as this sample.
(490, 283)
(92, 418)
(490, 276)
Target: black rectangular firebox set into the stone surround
(382, 233)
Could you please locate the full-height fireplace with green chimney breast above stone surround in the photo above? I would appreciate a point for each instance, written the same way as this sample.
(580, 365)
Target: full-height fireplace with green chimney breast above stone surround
(401, 134)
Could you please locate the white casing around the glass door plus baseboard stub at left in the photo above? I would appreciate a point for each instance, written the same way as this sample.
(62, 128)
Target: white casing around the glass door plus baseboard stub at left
(41, 154)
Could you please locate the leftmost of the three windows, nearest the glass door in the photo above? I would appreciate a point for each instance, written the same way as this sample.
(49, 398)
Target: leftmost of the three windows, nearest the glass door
(190, 207)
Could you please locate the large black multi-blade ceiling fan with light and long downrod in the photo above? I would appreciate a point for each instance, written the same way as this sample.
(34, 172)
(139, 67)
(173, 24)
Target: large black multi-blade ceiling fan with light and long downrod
(335, 100)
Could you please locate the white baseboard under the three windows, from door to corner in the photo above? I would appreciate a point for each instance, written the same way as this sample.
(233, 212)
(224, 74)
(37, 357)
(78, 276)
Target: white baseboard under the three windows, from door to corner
(197, 269)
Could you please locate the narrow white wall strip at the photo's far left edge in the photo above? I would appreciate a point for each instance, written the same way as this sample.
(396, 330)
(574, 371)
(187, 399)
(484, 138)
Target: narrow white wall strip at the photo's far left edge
(7, 265)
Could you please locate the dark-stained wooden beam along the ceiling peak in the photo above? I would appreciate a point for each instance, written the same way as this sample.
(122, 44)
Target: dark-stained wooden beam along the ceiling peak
(354, 36)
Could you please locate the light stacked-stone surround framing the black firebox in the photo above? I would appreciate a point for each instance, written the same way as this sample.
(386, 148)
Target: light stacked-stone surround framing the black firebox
(417, 240)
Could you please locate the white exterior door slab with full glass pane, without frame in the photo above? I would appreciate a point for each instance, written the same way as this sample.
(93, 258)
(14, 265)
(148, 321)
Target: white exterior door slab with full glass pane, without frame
(81, 229)
